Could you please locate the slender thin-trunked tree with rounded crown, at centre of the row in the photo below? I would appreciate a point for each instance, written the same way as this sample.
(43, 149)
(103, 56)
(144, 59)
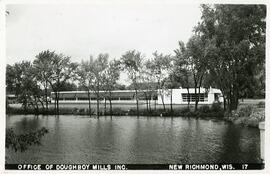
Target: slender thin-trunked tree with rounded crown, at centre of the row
(132, 64)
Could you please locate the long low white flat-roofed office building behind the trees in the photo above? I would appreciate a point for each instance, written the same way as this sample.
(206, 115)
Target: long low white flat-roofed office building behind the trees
(179, 96)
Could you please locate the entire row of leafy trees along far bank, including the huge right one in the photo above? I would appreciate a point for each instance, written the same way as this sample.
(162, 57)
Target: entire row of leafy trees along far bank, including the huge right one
(226, 51)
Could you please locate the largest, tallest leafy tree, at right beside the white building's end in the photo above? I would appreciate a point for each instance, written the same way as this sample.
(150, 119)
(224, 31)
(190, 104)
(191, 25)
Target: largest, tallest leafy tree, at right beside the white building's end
(235, 44)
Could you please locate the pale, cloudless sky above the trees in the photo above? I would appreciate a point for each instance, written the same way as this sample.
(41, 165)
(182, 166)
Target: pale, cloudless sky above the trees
(79, 31)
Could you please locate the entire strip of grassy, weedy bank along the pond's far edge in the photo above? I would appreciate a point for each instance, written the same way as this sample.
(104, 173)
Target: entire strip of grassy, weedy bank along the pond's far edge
(247, 114)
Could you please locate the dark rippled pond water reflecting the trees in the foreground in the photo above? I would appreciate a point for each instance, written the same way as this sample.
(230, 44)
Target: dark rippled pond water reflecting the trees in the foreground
(79, 139)
